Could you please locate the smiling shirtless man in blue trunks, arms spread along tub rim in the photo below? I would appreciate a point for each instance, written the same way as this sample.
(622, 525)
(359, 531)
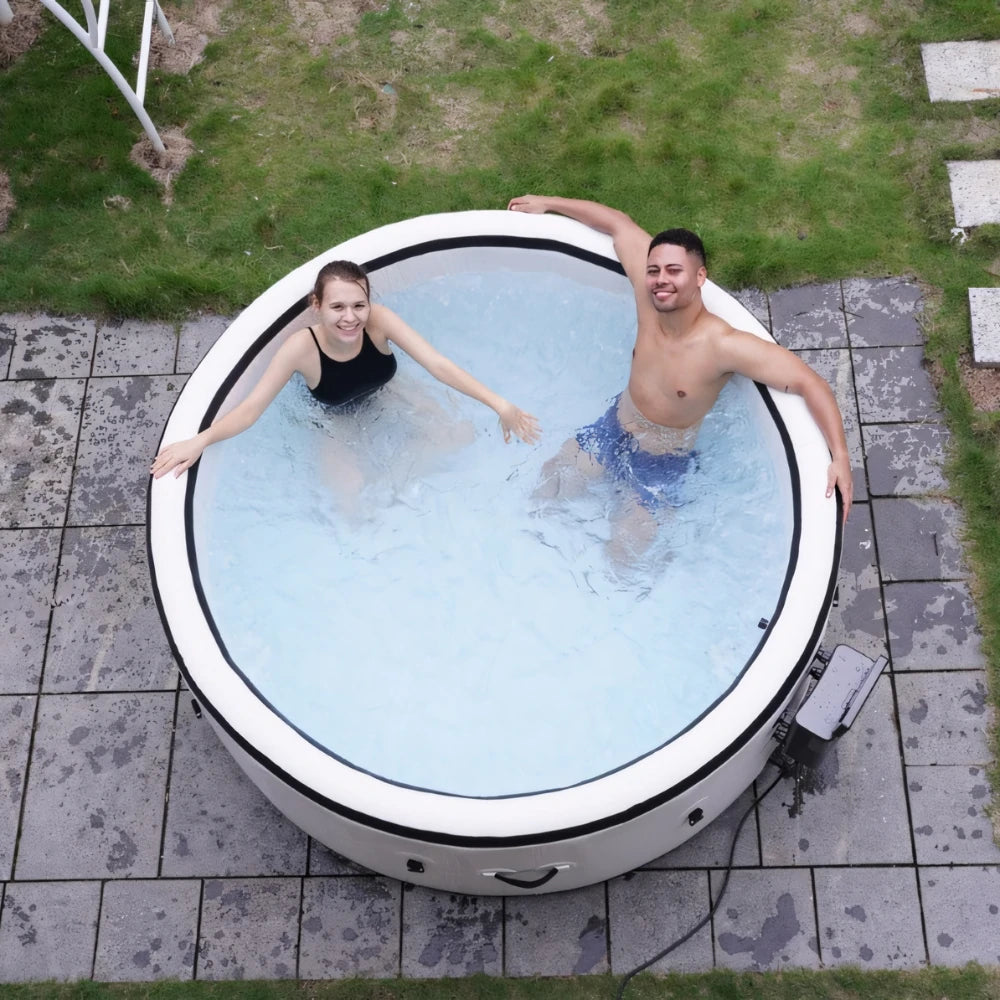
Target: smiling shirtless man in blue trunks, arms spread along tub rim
(682, 358)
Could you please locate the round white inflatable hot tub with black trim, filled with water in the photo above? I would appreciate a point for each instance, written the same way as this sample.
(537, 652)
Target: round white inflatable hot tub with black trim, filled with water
(431, 659)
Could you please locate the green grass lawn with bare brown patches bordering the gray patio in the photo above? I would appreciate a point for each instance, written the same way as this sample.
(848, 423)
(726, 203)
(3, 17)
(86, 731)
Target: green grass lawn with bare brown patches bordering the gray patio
(796, 138)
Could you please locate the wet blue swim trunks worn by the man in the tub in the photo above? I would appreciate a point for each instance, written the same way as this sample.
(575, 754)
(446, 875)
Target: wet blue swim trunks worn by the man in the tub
(655, 479)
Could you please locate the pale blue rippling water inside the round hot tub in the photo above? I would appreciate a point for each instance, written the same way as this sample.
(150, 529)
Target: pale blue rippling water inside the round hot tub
(391, 583)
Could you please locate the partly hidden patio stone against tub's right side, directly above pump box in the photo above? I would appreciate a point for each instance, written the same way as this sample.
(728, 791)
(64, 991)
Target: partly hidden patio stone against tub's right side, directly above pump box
(858, 619)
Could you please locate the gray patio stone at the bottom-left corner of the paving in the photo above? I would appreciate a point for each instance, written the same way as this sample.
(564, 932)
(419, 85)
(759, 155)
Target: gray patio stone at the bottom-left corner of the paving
(47, 930)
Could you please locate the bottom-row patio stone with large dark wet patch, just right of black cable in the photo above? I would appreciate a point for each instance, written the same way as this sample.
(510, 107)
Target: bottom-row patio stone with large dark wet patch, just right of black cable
(766, 920)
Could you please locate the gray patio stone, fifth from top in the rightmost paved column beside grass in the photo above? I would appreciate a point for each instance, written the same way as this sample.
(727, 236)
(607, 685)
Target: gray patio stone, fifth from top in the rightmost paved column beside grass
(932, 626)
